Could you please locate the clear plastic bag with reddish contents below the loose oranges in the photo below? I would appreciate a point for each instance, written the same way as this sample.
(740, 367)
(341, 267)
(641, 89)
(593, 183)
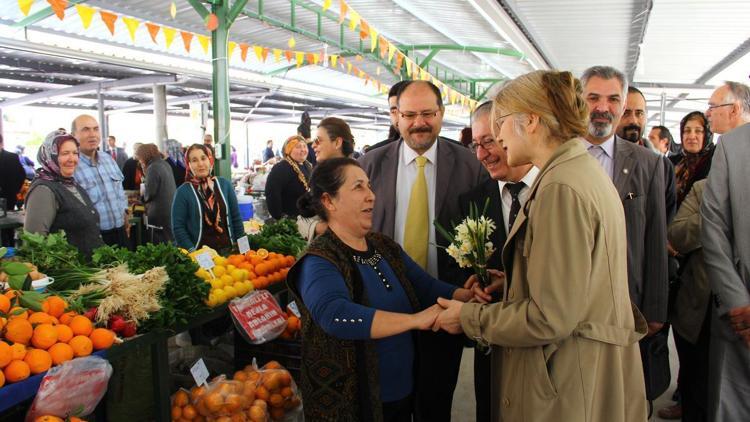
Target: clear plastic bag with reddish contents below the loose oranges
(73, 388)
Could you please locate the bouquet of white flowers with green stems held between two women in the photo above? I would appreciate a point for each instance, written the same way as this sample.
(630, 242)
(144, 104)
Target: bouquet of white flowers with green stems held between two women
(470, 242)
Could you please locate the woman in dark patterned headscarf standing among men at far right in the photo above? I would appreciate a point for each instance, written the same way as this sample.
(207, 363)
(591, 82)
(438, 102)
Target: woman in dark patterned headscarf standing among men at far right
(690, 310)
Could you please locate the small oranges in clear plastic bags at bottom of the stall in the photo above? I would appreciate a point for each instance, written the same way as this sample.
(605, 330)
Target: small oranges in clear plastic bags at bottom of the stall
(254, 395)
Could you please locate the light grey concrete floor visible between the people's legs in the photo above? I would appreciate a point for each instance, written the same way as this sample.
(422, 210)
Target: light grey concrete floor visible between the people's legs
(464, 401)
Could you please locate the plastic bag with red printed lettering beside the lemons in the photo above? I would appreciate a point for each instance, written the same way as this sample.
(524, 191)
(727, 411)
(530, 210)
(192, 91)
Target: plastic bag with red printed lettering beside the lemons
(258, 316)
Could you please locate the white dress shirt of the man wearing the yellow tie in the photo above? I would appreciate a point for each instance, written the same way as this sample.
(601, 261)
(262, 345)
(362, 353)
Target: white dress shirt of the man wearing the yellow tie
(407, 173)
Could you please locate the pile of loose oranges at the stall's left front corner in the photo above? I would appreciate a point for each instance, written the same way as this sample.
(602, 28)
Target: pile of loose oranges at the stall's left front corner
(33, 342)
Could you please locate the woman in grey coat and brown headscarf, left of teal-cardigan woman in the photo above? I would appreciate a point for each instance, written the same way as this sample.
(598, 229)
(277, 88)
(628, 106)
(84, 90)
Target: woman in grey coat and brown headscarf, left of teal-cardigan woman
(158, 193)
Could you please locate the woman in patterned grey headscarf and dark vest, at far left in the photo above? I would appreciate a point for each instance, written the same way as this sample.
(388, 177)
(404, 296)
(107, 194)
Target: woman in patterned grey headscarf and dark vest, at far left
(55, 201)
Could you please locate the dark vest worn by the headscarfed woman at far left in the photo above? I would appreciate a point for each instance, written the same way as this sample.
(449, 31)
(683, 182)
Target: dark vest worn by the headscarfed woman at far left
(79, 221)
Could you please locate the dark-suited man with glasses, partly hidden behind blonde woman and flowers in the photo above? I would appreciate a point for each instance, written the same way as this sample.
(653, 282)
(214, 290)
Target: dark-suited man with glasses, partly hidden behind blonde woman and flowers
(502, 197)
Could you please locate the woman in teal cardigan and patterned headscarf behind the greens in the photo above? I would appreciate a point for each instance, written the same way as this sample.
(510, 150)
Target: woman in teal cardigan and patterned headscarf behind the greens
(205, 210)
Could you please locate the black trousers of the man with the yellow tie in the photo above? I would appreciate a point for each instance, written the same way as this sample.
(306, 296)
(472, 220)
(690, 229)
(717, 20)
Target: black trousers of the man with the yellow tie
(437, 373)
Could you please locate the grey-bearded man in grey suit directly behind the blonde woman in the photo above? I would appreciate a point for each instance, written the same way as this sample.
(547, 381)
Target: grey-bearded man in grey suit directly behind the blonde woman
(638, 174)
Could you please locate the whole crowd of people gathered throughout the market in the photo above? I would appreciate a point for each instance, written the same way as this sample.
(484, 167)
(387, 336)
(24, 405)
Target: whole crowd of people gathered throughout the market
(606, 237)
